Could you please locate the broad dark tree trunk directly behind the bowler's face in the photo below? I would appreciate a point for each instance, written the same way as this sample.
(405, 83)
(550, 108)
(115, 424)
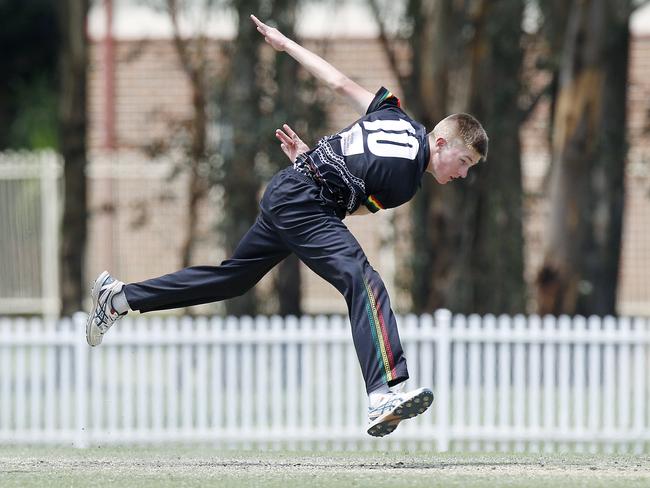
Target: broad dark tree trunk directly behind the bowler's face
(491, 207)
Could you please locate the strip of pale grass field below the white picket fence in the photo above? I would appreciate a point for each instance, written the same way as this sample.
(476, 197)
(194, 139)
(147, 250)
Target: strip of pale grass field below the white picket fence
(189, 467)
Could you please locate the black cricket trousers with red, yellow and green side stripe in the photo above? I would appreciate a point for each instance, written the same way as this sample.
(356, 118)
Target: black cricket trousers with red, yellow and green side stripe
(295, 218)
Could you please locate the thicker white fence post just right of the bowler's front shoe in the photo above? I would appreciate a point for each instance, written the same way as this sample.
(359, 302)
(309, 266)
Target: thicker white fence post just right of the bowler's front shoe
(443, 392)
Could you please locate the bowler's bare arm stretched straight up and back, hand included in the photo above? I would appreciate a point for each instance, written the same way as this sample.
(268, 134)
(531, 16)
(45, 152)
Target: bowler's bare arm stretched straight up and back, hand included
(356, 95)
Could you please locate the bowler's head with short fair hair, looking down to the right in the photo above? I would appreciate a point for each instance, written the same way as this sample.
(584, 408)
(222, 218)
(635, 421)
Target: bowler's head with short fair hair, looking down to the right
(457, 142)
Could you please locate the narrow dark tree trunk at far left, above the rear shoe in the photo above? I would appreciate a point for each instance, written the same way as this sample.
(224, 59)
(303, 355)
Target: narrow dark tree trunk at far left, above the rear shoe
(72, 119)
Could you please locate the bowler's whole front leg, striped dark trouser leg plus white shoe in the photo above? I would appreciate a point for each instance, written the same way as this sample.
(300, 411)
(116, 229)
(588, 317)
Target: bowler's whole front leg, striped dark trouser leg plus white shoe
(312, 231)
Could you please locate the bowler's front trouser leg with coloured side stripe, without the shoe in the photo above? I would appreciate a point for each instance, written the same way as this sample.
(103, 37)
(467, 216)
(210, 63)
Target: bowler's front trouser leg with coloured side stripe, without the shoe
(321, 240)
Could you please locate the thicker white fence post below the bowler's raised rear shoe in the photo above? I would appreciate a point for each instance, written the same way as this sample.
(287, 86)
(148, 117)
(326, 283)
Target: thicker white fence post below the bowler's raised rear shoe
(81, 376)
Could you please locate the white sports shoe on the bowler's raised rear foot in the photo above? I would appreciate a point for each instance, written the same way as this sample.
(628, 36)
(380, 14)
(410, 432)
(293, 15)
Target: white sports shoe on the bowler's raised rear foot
(102, 316)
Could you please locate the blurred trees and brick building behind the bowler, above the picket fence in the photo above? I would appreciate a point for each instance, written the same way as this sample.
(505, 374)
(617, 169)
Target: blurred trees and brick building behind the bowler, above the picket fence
(158, 116)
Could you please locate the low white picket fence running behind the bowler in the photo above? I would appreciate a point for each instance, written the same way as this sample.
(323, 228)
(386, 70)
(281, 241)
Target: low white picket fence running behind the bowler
(501, 383)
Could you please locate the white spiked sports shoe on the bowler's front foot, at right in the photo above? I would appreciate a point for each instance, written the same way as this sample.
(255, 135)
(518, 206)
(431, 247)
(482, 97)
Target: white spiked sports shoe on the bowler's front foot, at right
(391, 408)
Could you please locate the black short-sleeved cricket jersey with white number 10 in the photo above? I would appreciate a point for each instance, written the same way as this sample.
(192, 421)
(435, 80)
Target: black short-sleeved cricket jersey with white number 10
(378, 161)
